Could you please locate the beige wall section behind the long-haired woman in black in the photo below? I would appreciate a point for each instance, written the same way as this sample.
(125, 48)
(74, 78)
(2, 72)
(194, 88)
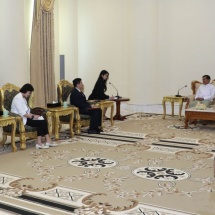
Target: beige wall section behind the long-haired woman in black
(103, 42)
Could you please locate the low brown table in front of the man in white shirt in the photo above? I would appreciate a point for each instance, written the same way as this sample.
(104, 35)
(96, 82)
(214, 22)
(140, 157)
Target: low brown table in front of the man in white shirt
(192, 113)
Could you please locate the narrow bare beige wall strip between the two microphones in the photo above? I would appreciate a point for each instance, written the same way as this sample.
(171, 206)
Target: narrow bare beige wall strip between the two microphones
(142, 30)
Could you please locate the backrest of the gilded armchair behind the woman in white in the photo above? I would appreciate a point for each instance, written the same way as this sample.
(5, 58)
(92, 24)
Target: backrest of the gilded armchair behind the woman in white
(7, 93)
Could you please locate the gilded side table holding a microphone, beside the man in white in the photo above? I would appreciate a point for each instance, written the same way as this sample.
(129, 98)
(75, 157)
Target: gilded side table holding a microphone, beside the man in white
(172, 100)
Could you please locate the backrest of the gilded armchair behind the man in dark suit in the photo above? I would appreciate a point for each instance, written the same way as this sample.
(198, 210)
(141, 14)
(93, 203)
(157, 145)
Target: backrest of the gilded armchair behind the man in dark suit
(64, 88)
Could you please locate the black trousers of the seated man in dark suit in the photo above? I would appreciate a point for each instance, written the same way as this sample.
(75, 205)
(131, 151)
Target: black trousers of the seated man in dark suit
(95, 117)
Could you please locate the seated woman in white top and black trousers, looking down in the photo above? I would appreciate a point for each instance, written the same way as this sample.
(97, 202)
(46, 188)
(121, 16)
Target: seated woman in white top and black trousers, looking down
(20, 107)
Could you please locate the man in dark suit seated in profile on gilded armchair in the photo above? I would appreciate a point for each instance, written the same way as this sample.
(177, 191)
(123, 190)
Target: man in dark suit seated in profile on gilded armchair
(78, 99)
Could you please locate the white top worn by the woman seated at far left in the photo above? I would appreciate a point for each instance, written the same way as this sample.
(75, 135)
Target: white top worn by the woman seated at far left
(20, 106)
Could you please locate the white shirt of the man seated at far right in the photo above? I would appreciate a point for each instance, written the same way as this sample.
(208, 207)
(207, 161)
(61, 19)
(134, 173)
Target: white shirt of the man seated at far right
(206, 91)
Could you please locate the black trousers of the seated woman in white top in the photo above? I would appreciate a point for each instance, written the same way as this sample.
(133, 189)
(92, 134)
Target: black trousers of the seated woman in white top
(42, 126)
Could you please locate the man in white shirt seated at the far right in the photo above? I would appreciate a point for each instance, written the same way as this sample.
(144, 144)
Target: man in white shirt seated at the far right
(205, 94)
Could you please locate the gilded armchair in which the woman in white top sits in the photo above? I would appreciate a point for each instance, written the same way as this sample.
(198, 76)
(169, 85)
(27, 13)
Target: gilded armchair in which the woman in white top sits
(7, 93)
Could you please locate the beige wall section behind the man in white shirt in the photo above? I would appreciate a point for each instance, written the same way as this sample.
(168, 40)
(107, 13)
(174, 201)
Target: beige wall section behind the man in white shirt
(186, 43)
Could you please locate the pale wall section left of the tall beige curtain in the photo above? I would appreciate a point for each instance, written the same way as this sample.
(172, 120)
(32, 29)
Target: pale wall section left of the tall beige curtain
(14, 41)
